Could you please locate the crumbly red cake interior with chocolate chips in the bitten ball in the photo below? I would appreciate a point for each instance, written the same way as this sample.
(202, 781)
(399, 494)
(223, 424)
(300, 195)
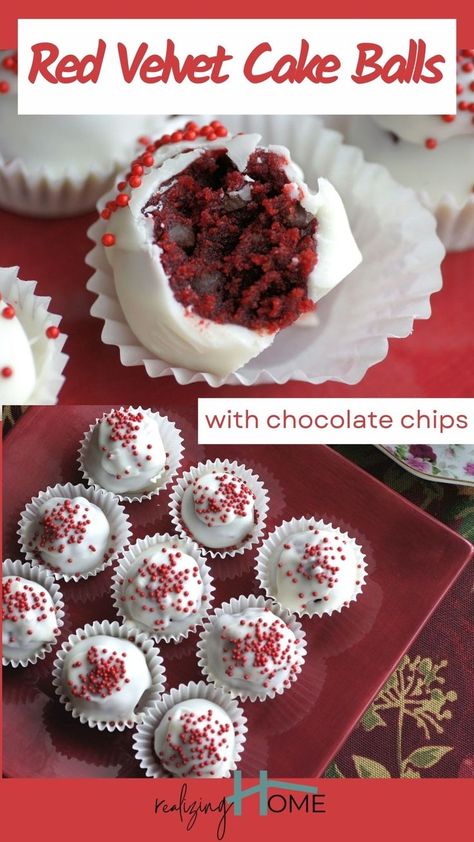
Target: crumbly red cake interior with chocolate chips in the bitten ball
(237, 247)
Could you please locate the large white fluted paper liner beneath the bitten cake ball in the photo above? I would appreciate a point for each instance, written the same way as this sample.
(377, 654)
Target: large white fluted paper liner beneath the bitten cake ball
(395, 234)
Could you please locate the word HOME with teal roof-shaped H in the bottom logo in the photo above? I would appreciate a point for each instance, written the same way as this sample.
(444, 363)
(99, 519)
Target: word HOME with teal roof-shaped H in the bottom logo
(311, 802)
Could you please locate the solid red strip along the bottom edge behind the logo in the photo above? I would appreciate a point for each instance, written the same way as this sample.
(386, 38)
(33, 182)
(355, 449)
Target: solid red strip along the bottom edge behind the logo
(430, 809)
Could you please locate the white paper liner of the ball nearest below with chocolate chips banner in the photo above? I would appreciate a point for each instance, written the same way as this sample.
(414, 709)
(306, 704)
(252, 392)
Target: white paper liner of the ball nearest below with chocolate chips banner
(254, 483)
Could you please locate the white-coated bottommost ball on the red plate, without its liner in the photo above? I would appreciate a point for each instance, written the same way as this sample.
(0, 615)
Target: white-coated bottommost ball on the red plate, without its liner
(195, 739)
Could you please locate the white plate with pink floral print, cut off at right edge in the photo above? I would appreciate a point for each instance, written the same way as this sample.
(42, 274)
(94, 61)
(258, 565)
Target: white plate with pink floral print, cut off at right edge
(453, 463)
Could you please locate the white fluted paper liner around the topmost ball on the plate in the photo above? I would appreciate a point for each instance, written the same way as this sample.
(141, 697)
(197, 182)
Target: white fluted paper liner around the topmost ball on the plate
(172, 442)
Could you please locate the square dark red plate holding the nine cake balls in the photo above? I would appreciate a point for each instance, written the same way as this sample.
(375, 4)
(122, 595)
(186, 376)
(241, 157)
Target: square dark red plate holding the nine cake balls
(412, 561)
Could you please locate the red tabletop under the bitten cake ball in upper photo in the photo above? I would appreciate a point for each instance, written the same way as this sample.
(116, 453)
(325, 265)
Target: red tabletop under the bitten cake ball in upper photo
(435, 361)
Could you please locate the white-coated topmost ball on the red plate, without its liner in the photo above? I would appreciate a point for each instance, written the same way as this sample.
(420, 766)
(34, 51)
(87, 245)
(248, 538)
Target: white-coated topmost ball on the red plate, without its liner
(127, 453)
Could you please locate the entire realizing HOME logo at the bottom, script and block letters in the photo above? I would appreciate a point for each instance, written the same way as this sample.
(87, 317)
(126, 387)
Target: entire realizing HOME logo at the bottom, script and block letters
(292, 798)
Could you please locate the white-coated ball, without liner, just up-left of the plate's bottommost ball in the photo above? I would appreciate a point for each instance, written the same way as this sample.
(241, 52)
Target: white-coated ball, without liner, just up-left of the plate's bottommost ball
(105, 677)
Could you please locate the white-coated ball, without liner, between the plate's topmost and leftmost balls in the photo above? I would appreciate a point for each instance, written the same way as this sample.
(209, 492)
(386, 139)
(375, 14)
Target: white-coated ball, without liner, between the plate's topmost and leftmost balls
(70, 535)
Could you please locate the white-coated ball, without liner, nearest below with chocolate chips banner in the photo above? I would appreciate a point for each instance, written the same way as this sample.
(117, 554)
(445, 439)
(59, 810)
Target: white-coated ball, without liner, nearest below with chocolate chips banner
(218, 510)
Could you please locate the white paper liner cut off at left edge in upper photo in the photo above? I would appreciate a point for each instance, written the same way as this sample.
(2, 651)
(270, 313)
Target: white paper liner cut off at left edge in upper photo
(32, 312)
